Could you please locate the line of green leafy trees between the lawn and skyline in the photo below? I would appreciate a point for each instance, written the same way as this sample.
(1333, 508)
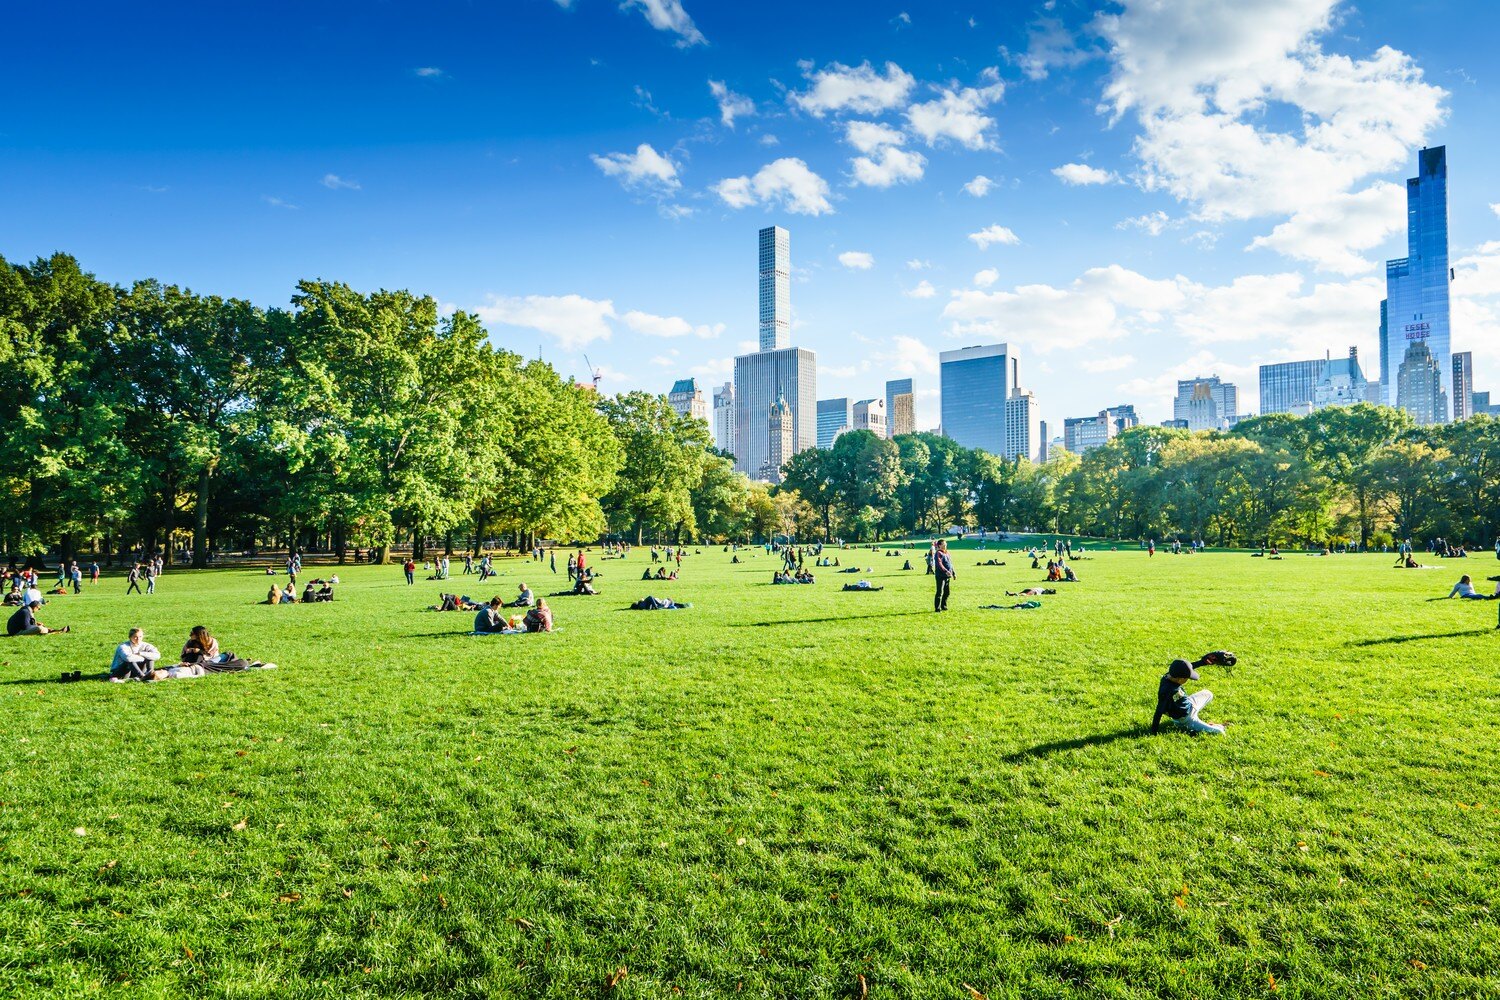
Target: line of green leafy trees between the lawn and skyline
(157, 419)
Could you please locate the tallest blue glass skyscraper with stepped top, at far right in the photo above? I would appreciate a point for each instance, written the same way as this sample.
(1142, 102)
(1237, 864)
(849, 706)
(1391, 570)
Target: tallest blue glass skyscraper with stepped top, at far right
(1417, 286)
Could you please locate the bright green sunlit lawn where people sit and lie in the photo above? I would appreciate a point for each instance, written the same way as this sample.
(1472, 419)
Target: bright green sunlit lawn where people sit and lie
(784, 792)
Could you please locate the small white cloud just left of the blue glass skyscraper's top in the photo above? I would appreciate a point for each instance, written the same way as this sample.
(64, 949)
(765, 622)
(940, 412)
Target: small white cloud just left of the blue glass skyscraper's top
(1331, 235)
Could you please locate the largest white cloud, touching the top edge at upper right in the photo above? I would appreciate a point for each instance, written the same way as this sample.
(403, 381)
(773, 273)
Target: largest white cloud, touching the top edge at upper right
(1210, 80)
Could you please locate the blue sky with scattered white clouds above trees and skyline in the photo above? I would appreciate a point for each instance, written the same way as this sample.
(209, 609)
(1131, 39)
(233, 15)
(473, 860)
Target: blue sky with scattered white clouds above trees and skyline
(1126, 193)
